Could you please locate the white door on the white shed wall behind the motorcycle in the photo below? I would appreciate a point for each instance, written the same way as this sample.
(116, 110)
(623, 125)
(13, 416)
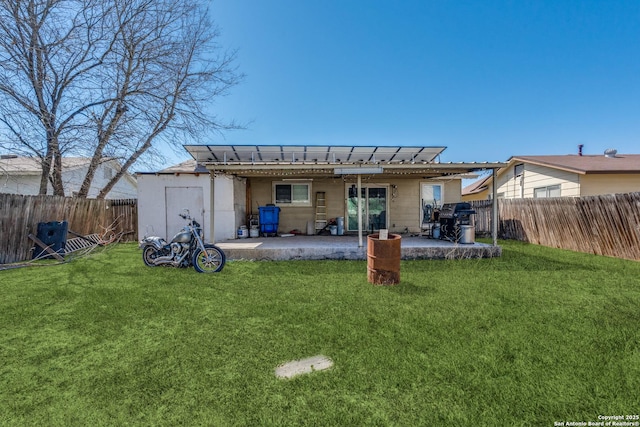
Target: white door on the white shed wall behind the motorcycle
(181, 198)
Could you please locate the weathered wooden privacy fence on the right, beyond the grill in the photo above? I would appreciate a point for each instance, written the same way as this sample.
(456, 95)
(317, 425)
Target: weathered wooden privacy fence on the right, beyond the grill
(604, 225)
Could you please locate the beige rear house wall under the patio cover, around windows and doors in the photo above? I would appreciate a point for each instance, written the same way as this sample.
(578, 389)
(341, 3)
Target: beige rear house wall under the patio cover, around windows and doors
(404, 210)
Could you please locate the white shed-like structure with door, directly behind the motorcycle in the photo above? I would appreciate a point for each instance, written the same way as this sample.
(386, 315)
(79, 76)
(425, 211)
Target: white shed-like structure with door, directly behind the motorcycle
(163, 195)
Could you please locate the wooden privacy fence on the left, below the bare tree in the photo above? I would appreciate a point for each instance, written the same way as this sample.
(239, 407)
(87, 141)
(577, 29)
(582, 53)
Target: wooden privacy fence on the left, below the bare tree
(20, 215)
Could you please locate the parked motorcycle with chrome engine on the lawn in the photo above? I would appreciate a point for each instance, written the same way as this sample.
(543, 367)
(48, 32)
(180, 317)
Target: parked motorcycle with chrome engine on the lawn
(187, 247)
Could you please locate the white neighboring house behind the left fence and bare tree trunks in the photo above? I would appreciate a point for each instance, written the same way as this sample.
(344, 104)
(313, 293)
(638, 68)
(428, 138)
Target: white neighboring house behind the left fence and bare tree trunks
(21, 175)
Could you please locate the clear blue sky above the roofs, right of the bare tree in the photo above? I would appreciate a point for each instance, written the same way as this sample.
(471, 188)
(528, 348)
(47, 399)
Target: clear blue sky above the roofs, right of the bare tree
(486, 79)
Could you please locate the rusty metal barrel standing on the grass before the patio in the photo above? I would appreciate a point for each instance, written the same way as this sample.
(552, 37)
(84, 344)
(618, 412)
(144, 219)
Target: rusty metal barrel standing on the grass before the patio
(383, 259)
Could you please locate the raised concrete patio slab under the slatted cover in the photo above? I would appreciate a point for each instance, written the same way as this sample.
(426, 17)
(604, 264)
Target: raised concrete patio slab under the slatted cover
(346, 248)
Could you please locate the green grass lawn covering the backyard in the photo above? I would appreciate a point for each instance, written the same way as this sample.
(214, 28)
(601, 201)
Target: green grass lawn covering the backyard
(535, 337)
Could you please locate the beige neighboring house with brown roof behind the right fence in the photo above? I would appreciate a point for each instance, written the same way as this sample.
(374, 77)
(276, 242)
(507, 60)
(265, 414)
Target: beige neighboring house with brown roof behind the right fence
(561, 176)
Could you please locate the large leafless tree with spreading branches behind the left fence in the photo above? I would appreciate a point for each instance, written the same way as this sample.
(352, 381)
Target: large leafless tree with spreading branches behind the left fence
(107, 79)
